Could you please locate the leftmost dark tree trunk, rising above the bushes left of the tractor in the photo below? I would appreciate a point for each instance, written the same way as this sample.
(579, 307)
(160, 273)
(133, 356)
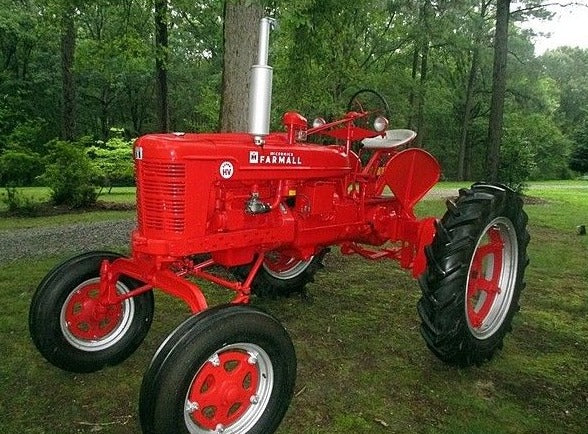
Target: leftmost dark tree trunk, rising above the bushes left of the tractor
(68, 46)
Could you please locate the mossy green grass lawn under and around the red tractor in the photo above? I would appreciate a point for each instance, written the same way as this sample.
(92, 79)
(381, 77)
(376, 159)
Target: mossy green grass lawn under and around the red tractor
(362, 365)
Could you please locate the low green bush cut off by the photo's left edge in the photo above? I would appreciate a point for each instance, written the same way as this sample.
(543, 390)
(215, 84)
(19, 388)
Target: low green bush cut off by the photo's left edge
(19, 167)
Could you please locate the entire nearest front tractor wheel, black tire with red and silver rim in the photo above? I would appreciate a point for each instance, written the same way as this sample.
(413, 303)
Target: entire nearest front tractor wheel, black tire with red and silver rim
(227, 369)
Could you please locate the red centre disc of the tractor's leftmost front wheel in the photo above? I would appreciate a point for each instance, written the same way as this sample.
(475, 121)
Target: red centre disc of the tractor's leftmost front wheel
(87, 318)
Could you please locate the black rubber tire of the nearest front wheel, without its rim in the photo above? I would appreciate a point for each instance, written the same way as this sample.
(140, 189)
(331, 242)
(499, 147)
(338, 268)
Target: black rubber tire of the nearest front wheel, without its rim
(195, 338)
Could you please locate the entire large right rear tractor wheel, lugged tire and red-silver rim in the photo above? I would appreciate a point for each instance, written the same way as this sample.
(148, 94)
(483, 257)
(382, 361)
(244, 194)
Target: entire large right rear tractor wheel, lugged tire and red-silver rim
(475, 275)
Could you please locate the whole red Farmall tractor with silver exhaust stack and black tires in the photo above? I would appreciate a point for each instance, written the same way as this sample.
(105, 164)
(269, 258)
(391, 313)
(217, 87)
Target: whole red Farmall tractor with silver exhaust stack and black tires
(265, 207)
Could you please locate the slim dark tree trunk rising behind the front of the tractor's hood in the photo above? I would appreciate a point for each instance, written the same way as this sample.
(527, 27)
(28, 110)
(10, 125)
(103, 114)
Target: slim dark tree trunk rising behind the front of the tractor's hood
(161, 63)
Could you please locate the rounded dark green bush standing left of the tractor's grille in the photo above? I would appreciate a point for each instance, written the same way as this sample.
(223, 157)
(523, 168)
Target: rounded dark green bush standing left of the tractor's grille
(69, 175)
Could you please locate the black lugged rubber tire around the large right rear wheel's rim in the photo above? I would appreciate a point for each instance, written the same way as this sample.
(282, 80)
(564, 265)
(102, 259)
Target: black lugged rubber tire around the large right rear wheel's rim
(441, 307)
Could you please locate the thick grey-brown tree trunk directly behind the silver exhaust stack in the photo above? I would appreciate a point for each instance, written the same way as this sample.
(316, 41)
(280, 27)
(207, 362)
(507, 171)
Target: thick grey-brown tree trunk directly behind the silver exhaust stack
(240, 36)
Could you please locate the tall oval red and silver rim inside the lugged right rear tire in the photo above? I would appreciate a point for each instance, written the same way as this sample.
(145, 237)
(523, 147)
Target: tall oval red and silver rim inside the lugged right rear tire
(491, 278)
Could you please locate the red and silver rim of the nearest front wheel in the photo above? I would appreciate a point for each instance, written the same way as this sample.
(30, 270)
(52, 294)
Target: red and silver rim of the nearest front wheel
(230, 390)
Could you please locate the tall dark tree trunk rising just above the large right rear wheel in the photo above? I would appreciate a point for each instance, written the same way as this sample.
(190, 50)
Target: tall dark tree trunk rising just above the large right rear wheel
(498, 89)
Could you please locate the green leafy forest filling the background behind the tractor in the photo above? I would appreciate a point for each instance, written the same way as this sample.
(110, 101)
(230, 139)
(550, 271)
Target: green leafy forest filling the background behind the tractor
(80, 79)
